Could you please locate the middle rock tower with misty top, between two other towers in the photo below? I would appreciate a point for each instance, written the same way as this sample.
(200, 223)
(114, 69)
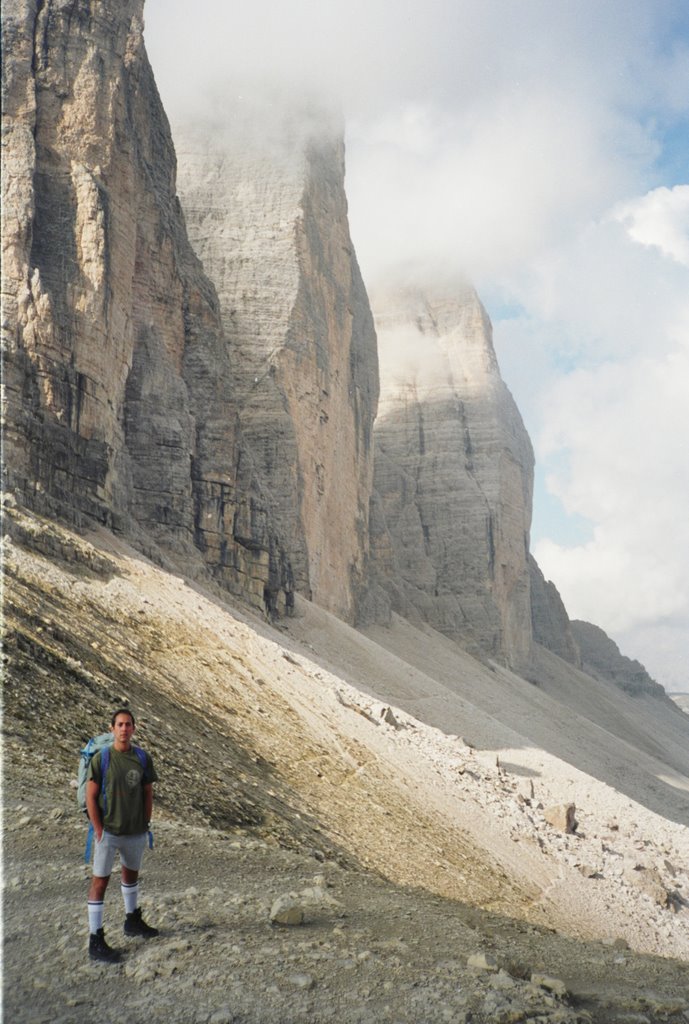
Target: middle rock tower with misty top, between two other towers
(266, 208)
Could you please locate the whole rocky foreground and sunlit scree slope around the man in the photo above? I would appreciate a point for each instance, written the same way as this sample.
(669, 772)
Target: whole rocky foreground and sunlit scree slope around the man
(433, 887)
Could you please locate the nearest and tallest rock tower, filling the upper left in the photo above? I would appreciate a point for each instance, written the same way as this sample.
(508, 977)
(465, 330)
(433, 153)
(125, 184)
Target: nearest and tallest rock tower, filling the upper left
(117, 379)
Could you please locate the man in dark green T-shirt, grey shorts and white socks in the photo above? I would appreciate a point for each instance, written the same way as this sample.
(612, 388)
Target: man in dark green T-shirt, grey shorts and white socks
(120, 814)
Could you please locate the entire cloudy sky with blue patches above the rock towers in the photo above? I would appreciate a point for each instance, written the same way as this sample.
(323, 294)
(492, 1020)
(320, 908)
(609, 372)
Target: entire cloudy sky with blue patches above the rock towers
(540, 148)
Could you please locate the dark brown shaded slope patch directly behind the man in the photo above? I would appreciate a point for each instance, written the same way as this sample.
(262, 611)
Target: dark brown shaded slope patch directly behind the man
(71, 659)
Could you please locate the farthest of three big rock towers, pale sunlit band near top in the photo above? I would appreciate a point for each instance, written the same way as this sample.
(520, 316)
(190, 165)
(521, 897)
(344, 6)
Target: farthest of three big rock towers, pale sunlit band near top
(453, 476)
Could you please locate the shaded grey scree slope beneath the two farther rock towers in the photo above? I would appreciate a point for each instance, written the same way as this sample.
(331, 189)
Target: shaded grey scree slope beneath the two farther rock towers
(638, 746)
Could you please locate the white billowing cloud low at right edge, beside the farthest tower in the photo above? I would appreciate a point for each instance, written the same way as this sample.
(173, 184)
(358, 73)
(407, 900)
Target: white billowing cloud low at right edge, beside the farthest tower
(623, 430)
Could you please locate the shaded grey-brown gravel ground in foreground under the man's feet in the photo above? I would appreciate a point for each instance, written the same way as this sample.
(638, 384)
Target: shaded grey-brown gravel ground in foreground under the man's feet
(368, 952)
